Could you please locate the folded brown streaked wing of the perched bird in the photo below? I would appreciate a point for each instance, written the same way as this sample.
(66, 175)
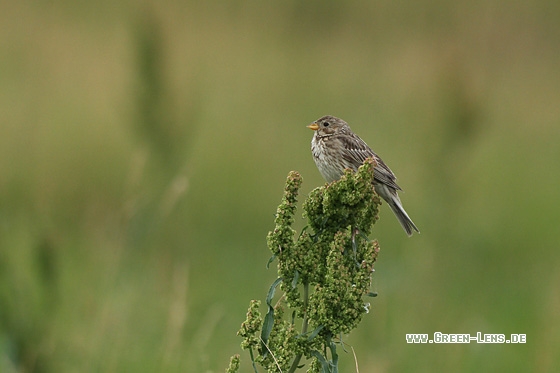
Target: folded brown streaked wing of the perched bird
(356, 151)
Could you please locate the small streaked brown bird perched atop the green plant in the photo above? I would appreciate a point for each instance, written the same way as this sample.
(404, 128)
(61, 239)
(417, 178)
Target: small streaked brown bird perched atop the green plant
(335, 147)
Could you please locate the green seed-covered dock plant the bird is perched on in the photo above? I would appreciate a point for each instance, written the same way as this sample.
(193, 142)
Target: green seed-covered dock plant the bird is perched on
(324, 274)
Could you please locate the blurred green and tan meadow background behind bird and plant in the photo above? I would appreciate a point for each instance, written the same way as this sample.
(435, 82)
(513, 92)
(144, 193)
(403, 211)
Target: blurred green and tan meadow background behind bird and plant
(144, 148)
